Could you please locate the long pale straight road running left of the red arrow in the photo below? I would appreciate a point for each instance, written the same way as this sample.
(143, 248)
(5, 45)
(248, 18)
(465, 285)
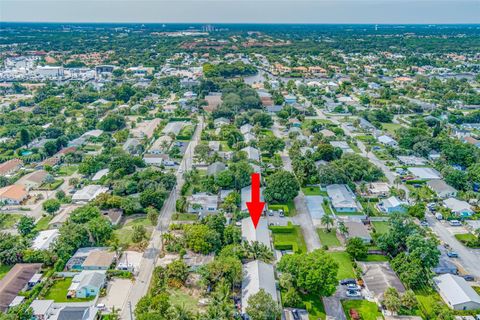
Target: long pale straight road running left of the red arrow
(151, 254)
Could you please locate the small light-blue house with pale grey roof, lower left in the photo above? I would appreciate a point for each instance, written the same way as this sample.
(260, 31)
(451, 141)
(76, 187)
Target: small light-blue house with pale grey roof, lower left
(87, 284)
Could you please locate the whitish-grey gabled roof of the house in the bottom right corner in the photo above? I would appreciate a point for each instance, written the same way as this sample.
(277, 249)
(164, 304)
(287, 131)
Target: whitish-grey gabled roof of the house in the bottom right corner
(455, 289)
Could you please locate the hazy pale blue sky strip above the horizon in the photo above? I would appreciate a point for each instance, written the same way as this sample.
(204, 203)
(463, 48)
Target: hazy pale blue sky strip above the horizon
(238, 11)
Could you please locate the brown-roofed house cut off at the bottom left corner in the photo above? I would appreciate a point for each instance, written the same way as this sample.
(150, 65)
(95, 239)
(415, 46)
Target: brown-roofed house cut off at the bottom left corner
(14, 282)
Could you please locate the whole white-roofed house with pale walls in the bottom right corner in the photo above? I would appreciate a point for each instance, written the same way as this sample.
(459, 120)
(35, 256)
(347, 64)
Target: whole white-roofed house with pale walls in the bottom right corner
(456, 292)
